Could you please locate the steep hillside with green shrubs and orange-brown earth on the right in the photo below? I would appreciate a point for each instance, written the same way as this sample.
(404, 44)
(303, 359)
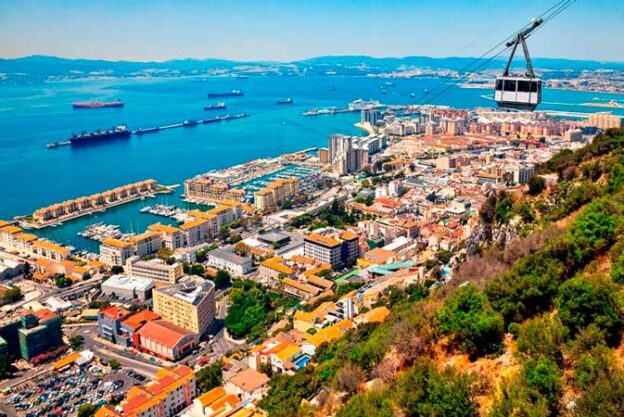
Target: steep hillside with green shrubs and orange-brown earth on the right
(529, 326)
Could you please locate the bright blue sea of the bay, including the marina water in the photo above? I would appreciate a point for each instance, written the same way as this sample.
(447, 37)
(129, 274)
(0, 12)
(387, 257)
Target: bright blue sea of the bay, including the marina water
(32, 176)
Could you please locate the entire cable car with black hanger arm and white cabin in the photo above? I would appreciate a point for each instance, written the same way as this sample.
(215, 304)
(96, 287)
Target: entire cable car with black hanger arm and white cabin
(520, 92)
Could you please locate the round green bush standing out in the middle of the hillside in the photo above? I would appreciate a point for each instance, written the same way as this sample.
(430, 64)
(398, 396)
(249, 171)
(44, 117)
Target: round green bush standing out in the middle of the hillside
(470, 322)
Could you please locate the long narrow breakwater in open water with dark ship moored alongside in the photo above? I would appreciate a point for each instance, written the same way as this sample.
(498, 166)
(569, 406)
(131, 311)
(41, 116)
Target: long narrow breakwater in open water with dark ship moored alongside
(122, 131)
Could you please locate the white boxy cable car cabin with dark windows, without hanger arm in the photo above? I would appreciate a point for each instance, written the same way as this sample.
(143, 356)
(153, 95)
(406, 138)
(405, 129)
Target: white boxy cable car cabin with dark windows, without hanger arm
(517, 92)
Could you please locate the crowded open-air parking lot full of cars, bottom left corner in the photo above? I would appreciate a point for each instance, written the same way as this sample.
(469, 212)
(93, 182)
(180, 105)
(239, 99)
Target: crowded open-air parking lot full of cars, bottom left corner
(62, 393)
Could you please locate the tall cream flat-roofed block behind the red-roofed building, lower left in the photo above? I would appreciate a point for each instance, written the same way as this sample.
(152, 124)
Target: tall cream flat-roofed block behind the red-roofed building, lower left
(190, 305)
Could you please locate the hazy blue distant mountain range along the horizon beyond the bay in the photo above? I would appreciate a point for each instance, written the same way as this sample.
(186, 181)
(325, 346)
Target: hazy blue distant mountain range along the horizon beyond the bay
(45, 66)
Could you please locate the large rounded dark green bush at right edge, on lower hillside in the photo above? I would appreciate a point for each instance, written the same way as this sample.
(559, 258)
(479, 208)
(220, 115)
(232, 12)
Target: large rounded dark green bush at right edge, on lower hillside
(591, 300)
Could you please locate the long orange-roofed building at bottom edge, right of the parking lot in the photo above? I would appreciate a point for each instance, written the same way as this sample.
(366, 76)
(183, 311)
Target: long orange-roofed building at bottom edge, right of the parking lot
(172, 391)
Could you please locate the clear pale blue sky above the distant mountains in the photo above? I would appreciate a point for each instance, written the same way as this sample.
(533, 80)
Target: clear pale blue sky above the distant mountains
(287, 30)
